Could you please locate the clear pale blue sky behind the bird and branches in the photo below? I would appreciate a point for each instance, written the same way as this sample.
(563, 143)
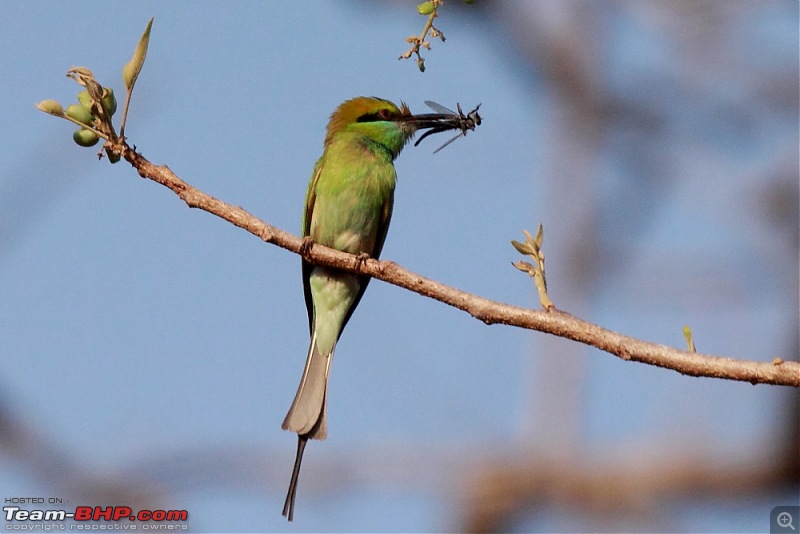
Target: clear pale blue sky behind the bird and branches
(135, 330)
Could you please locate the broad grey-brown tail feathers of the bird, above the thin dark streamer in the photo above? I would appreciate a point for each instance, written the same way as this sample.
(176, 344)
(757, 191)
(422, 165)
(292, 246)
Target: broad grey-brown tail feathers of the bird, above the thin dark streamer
(308, 414)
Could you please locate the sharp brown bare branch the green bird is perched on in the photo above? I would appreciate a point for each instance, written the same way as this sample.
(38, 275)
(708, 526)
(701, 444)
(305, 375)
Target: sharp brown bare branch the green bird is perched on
(553, 321)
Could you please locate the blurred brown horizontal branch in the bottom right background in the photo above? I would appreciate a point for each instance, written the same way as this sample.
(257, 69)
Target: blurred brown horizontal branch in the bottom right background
(497, 494)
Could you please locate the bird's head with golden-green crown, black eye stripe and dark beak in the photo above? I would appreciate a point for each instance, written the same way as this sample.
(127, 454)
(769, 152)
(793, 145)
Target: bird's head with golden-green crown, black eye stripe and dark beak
(378, 120)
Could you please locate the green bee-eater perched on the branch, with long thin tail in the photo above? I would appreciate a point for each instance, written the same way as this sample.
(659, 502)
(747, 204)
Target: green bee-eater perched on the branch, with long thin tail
(348, 207)
